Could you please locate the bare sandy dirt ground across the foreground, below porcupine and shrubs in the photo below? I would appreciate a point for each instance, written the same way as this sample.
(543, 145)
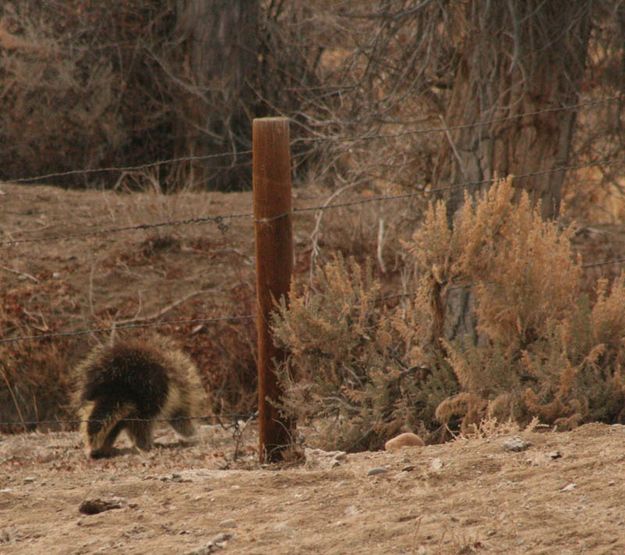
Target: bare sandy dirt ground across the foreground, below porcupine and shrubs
(563, 494)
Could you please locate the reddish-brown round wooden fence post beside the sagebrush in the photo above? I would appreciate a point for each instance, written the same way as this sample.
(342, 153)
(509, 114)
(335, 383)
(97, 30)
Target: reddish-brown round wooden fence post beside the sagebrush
(274, 265)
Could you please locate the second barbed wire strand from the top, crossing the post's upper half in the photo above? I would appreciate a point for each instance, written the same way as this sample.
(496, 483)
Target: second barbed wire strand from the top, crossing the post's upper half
(220, 219)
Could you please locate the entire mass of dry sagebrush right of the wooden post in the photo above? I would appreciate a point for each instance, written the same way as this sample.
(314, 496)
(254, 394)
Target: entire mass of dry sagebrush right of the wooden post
(542, 349)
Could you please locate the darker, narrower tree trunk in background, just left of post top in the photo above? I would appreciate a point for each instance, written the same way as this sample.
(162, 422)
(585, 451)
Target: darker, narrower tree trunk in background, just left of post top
(220, 38)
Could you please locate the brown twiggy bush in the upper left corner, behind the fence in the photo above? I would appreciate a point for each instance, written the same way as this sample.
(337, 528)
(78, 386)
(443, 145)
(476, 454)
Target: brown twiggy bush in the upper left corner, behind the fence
(60, 104)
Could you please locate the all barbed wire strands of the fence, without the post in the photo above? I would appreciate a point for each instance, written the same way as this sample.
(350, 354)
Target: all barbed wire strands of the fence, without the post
(222, 222)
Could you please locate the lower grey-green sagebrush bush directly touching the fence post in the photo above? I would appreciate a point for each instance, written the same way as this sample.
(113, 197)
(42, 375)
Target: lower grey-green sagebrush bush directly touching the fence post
(346, 371)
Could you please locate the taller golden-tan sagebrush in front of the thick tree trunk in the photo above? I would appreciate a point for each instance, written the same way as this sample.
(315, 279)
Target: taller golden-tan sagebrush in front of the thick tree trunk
(542, 350)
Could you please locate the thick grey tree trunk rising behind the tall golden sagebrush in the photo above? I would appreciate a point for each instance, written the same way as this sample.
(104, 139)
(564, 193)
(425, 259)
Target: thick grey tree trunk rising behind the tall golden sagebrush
(516, 57)
